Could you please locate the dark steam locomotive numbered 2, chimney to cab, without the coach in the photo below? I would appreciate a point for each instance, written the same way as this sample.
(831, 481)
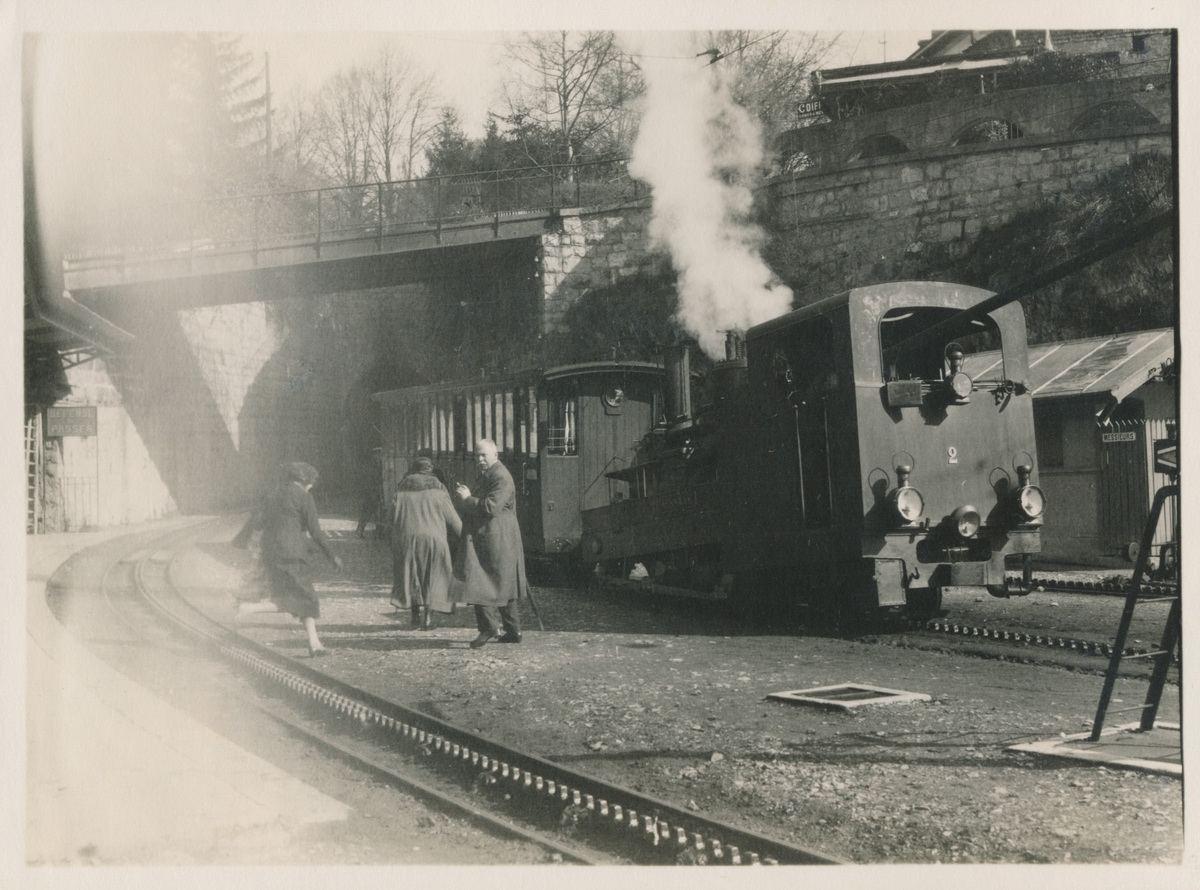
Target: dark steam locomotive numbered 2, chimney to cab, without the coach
(867, 452)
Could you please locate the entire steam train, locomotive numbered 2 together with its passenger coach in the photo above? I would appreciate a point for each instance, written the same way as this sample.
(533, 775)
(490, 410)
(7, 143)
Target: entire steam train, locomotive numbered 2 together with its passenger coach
(863, 453)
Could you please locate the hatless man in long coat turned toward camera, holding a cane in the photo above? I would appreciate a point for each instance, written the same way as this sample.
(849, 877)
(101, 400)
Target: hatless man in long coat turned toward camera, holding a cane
(491, 562)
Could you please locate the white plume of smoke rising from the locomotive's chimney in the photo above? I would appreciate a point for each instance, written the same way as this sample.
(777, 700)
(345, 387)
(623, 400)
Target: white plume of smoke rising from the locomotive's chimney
(700, 152)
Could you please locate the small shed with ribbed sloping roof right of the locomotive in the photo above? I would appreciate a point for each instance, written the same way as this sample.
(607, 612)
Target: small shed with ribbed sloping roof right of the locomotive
(1099, 407)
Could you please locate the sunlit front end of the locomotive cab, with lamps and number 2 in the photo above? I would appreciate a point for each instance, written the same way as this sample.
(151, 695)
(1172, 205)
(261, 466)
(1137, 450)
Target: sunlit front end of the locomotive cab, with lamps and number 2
(949, 449)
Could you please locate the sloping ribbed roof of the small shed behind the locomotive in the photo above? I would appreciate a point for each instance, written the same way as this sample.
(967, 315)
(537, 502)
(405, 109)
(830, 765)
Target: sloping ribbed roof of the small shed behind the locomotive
(1117, 365)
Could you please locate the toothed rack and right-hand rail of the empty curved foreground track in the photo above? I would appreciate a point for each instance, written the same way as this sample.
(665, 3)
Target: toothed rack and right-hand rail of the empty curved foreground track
(671, 833)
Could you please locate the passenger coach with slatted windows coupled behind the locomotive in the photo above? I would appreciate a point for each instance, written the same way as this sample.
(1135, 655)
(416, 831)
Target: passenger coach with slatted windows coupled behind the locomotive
(560, 432)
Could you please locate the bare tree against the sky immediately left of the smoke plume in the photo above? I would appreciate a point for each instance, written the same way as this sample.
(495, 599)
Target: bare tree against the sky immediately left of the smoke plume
(560, 85)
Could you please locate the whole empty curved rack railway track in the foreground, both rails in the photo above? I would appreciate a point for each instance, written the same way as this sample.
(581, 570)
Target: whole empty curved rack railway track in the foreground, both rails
(574, 816)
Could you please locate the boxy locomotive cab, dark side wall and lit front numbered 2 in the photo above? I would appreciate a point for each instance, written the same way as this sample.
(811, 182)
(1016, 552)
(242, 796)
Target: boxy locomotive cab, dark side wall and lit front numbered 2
(890, 449)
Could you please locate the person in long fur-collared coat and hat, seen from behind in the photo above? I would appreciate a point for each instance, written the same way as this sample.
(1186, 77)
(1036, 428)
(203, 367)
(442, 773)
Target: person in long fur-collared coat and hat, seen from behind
(423, 521)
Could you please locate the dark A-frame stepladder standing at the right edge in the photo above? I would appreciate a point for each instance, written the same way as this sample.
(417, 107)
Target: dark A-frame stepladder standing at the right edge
(1163, 656)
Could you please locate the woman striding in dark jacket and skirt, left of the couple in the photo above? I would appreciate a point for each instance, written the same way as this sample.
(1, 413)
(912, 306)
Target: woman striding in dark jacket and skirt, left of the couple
(287, 515)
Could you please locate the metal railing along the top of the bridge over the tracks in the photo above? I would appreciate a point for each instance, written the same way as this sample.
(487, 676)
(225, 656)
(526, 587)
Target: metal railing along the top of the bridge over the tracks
(321, 219)
